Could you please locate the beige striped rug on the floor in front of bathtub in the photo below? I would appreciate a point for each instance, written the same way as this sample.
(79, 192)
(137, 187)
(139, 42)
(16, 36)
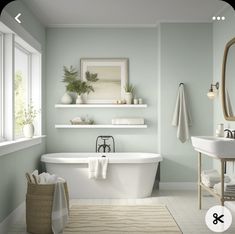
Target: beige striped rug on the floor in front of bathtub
(116, 219)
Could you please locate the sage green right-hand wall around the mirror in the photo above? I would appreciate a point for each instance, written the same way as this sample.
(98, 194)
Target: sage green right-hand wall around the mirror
(223, 31)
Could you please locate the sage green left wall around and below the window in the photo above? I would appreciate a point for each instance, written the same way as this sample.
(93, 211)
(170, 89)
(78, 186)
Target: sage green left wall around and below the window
(13, 166)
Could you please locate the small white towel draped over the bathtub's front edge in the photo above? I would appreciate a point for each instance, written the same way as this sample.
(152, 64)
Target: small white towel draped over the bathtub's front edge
(97, 167)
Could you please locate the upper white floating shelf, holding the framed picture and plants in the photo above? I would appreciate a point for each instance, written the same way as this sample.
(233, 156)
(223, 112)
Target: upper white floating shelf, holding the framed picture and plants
(100, 106)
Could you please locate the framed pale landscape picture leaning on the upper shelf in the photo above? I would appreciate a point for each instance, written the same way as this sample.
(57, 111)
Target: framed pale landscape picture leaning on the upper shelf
(113, 76)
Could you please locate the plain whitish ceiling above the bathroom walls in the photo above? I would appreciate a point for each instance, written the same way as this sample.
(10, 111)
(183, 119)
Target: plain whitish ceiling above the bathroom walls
(54, 13)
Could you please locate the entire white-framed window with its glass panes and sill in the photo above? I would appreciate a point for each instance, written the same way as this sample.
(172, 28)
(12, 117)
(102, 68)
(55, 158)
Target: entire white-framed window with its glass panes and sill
(20, 86)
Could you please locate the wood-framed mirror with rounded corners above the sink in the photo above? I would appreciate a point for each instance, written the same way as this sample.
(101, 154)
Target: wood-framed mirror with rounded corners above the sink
(228, 81)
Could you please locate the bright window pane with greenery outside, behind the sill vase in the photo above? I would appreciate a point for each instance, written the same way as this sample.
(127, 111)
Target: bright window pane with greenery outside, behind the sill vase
(21, 87)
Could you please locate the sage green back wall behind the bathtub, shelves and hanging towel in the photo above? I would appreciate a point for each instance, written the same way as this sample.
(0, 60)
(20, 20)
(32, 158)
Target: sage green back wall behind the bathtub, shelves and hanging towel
(185, 55)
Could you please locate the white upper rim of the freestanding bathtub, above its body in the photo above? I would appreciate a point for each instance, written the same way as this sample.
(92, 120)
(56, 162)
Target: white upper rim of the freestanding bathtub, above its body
(57, 159)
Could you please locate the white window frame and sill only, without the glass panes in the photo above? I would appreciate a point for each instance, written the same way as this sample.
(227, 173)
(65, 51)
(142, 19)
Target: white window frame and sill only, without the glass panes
(10, 37)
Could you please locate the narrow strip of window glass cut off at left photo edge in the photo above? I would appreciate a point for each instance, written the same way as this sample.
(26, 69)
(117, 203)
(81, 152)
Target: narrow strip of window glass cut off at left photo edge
(1, 87)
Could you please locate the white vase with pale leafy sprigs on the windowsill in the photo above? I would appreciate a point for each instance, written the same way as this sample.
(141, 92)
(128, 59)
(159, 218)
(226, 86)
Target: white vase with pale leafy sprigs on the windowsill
(25, 118)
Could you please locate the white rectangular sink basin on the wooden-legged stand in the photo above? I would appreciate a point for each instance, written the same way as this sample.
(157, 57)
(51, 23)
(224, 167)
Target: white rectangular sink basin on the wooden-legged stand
(214, 146)
